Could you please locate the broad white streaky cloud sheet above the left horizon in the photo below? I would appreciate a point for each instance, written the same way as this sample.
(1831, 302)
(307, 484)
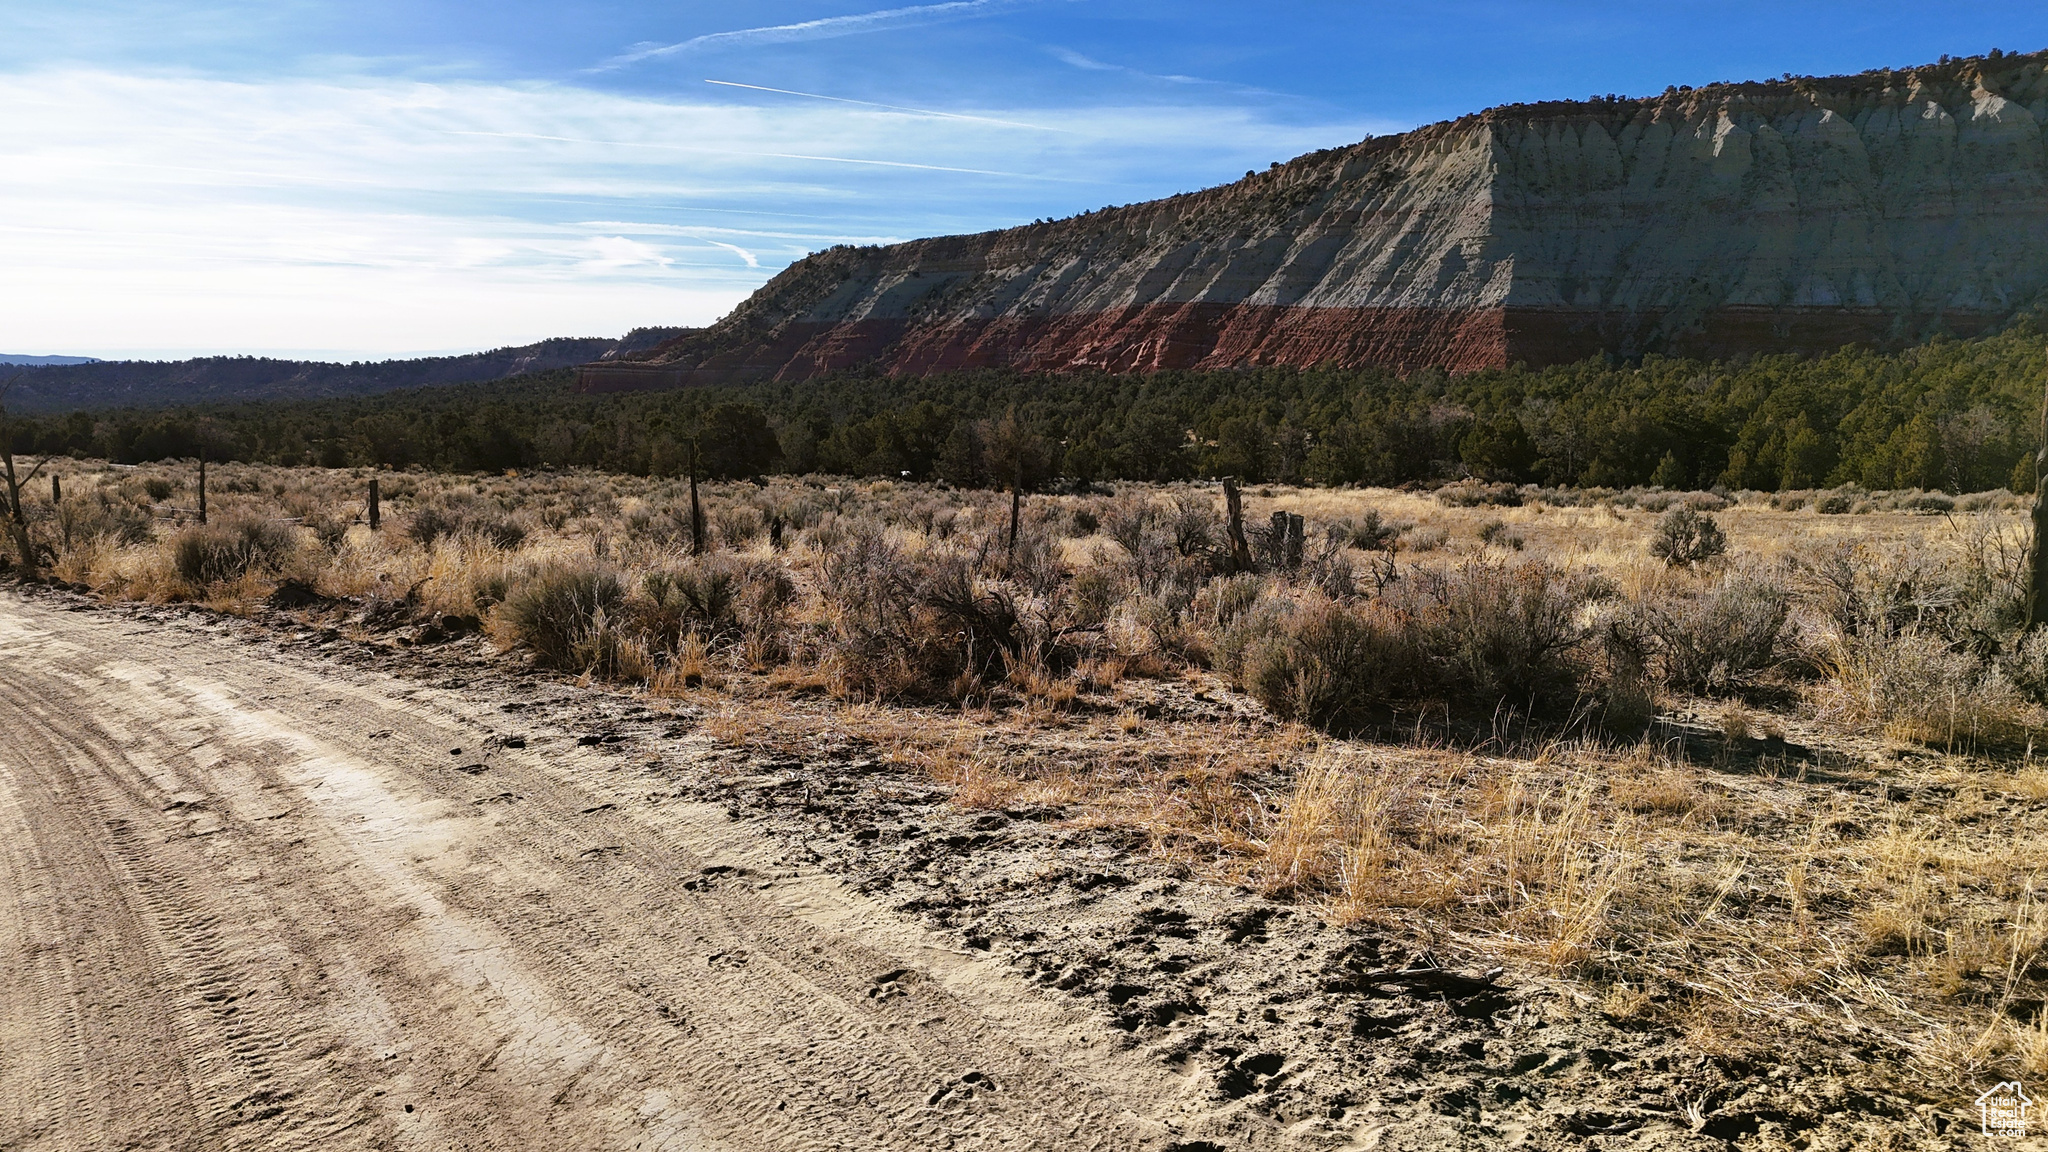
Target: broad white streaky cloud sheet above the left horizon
(169, 216)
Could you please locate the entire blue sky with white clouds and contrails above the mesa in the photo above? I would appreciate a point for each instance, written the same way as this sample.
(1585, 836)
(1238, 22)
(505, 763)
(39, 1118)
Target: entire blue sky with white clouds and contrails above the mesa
(372, 179)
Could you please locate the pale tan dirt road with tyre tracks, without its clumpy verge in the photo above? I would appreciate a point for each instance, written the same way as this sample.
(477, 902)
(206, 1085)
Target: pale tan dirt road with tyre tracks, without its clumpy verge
(255, 899)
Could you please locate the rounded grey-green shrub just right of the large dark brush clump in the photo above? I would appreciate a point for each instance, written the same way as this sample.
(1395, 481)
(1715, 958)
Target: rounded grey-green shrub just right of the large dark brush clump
(1721, 641)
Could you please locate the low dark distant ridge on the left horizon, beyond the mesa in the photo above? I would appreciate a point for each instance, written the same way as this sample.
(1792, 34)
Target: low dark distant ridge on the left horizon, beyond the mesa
(62, 384)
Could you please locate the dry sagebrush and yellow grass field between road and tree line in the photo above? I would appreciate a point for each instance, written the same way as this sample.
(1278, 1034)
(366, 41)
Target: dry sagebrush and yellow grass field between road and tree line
(1740, 790)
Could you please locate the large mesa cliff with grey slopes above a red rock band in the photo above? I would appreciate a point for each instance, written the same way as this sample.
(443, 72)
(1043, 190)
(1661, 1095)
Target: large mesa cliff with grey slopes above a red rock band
(1785, 216)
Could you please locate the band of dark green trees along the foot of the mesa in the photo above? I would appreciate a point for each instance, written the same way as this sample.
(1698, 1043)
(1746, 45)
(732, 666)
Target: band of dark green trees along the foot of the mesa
(1953, 415)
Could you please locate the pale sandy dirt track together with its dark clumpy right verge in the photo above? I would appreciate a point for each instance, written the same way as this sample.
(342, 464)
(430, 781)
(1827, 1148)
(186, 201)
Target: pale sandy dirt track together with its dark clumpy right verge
(267, 889)
